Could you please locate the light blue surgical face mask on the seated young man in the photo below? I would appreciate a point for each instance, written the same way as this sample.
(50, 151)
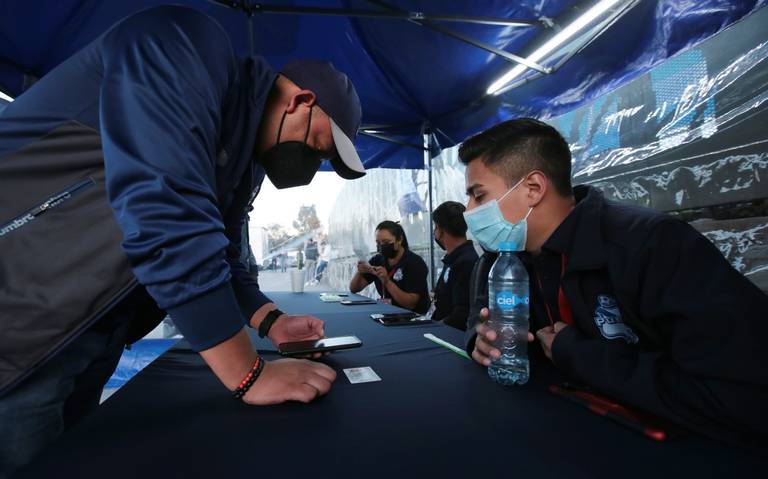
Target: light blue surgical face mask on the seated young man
(490, 229)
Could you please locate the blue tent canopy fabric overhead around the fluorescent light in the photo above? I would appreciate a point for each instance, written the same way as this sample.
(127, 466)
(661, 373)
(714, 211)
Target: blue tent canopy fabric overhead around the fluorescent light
(407, 76)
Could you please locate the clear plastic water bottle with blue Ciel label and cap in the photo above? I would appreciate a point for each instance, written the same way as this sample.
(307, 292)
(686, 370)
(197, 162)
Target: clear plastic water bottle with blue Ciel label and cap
(508, 302)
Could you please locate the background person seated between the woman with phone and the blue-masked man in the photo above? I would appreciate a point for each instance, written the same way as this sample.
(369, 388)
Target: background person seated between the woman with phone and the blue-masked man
(452, 288)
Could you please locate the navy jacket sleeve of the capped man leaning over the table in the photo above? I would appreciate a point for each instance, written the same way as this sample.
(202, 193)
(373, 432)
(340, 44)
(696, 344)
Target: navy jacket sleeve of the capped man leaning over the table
(165, 74)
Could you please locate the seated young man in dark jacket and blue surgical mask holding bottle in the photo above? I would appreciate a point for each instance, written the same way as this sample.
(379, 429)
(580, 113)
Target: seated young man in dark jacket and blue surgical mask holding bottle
(634, 303)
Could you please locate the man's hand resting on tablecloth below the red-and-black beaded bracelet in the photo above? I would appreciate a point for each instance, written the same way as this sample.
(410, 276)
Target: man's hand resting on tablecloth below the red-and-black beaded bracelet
(290, 380)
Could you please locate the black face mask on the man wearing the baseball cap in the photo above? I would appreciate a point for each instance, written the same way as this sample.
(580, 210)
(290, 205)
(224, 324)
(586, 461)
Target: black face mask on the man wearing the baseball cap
(291, 163)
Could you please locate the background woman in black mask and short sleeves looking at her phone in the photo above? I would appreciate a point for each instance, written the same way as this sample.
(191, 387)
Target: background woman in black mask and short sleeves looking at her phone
(400, 275)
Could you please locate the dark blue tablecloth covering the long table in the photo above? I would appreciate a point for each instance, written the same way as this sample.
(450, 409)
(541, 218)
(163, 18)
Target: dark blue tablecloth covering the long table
(433, 414)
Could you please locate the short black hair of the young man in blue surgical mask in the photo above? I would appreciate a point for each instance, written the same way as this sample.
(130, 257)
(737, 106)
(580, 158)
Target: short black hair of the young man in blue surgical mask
(516, 147)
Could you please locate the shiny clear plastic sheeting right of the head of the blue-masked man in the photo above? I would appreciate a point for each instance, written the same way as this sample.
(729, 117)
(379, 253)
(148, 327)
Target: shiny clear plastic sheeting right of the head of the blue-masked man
(688, 134)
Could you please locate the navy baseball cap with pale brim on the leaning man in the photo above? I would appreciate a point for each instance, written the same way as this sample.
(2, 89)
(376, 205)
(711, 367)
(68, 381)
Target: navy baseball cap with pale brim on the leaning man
(337, 97)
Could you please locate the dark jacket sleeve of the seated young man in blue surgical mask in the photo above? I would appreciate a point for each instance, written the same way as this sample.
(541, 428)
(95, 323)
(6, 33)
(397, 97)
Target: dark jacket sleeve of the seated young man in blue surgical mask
(709, 373)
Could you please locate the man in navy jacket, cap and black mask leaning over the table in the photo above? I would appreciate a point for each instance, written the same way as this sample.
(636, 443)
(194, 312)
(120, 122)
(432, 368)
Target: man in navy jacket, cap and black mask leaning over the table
(125, 176)
